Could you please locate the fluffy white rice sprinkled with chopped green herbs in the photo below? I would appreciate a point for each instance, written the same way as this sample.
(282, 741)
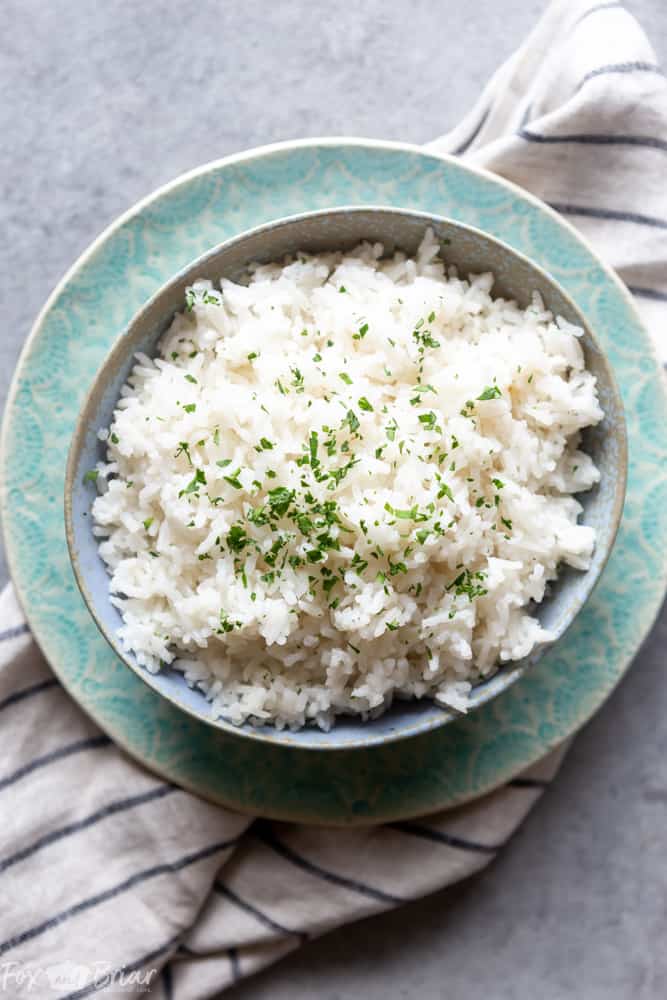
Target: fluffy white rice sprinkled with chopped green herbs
(454, 516)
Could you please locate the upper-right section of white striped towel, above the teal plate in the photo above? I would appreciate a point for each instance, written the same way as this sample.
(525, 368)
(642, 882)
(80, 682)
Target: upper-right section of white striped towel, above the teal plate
(578, 116)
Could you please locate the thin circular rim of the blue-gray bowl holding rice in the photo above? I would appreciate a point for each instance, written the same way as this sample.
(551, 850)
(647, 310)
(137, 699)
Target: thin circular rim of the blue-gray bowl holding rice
(269, 734)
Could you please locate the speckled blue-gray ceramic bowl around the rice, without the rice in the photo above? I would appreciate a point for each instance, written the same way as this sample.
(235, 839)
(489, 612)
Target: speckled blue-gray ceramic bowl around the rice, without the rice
(472, 251)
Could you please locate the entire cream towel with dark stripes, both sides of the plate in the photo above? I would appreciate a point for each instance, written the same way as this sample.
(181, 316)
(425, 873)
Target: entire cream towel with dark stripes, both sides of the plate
(116, 882)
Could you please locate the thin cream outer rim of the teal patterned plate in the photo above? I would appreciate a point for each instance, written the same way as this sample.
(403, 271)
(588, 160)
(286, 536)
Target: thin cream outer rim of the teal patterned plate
(246, 156)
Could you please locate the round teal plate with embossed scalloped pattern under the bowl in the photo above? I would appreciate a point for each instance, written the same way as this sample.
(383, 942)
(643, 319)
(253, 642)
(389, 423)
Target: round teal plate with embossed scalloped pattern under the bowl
(75, 330)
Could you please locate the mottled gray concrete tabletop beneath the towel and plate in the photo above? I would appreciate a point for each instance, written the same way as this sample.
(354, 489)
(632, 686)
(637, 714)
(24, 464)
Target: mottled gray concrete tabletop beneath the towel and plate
(102, 102)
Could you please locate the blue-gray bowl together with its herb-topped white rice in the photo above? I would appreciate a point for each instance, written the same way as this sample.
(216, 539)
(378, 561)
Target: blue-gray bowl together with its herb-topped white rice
(346, 477)
